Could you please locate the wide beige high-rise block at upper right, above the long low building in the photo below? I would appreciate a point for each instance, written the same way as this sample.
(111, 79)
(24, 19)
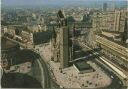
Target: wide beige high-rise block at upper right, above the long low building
(111, 21)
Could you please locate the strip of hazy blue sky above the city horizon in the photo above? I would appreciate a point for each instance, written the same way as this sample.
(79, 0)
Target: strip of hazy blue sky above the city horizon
(50, 2)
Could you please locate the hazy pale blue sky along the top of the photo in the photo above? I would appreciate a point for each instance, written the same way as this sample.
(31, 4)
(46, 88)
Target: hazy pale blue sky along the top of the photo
(39, 2)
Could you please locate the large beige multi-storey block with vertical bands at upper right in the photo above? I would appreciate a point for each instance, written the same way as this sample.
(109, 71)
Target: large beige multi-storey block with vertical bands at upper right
(113, 21)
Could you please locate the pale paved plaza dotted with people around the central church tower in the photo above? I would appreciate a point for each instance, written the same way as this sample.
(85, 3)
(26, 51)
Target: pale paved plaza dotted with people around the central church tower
(69, 77)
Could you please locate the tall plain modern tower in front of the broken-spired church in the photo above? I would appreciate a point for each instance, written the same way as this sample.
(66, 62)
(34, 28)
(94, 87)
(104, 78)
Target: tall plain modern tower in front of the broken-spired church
(64, 47)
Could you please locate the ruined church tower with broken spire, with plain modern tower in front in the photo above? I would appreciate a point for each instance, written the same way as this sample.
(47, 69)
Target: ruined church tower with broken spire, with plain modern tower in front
(61, 42)
